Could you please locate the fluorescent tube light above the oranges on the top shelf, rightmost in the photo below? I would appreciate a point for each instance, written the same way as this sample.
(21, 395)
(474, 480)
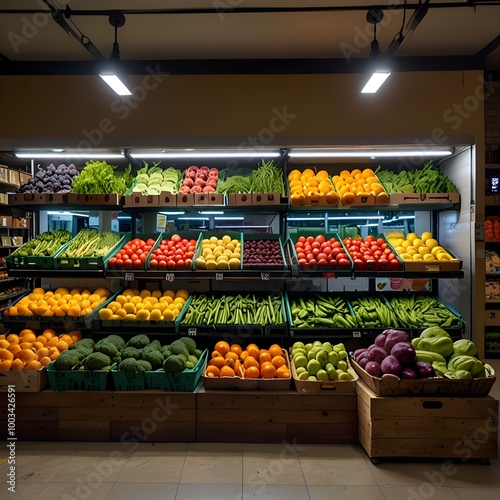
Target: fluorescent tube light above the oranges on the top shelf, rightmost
(364, 153)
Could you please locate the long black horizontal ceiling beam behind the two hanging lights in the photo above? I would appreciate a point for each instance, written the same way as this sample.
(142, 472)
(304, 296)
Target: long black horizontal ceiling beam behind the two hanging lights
(241, 66)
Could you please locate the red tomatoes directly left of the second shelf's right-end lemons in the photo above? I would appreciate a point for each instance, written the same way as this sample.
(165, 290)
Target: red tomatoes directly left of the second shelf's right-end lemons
(372, 254)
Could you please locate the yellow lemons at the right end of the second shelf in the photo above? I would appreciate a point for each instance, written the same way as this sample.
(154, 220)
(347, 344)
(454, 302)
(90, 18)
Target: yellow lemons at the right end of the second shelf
(423, 247)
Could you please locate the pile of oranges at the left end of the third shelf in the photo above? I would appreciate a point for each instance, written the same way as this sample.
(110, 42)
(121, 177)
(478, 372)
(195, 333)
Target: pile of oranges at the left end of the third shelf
(60, 302)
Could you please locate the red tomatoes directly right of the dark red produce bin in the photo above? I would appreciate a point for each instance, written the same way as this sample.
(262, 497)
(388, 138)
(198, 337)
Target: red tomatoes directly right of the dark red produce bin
(317, 252)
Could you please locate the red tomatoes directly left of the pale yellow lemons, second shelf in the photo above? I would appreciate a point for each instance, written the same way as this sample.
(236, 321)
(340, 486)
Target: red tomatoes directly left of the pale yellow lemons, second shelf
(173, 253)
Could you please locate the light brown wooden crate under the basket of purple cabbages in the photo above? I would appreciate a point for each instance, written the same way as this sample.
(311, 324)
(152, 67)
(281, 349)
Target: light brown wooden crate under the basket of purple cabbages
(427, 427)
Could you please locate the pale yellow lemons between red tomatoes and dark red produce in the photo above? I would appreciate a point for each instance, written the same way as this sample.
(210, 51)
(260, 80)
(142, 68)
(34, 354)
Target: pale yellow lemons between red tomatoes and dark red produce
(219, 254)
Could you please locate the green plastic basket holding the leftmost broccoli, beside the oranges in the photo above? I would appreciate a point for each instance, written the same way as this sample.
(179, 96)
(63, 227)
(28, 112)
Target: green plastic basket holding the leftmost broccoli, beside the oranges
(79, 380)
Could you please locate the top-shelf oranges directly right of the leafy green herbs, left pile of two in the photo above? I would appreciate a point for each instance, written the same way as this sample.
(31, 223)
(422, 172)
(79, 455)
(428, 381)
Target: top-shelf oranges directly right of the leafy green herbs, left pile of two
(307, 187)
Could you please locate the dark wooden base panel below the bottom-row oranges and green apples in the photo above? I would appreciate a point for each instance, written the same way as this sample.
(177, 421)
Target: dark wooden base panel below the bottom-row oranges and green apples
(254, 416)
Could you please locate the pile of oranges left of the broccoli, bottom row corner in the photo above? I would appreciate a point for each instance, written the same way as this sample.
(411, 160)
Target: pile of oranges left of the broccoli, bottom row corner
(27, 351)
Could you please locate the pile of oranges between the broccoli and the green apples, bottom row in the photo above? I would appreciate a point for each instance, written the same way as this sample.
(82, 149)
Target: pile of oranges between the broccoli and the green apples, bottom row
(251, 363)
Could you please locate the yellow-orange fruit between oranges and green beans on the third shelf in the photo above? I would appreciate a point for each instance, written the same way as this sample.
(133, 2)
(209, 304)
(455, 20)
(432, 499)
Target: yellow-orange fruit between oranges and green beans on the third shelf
(145, 305)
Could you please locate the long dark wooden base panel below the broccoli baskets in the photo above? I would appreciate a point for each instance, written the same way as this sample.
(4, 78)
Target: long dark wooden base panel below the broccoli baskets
(149, 416)
